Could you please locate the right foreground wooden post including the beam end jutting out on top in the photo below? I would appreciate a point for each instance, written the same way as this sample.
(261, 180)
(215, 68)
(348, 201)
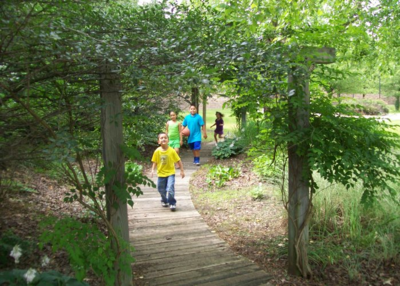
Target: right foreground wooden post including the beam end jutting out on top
(299, 172)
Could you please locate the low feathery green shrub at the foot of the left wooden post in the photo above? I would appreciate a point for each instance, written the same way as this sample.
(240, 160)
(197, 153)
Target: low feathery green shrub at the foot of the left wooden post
(87, 246)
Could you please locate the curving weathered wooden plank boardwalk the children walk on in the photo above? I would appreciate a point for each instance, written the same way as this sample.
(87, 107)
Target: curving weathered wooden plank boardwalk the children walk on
(178, 248)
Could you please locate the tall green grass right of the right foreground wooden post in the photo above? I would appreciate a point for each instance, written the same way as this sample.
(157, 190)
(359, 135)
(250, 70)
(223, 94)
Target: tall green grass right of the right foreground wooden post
(363, 233)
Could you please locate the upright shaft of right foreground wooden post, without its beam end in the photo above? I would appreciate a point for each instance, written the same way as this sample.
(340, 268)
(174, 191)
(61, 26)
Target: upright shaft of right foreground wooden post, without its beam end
(299, 199)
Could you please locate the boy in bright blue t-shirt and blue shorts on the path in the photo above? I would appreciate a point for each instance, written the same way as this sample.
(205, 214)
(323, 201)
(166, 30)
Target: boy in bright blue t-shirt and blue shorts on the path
(195, 123)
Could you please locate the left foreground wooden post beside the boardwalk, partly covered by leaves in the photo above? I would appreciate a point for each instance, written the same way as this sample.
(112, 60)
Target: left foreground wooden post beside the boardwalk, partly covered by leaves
(111, 130)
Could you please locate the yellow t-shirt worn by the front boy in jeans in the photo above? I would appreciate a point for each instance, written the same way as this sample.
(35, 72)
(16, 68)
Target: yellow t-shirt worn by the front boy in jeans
(165, 161)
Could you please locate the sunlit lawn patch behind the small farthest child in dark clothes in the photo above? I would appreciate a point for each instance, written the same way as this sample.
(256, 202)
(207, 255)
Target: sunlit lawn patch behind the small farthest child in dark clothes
(229, 121)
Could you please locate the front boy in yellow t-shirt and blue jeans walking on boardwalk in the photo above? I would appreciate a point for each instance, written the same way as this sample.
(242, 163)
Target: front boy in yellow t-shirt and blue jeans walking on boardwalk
(164, 159)
